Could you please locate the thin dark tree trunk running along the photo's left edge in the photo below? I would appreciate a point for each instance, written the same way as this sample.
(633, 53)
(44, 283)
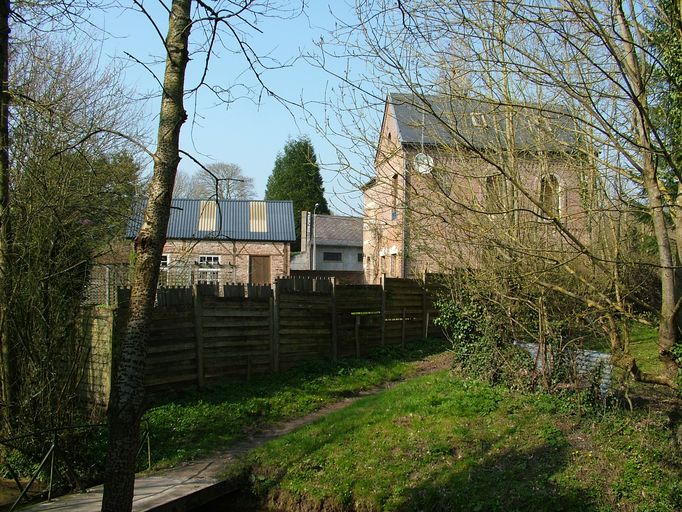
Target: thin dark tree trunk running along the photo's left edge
(8, 381)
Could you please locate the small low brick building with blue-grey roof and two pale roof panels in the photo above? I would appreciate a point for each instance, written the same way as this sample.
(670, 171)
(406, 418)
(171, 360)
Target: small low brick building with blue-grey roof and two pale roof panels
(226, 241)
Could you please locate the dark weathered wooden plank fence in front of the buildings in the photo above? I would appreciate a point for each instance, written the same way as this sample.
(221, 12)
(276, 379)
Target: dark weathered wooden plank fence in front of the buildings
(204, 335)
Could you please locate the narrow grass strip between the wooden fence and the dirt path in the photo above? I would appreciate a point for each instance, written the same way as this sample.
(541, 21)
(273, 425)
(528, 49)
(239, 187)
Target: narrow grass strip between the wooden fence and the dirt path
(198, 423)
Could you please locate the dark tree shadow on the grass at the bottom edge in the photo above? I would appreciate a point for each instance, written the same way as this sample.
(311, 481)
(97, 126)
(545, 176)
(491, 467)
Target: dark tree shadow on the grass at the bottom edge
(511, 481)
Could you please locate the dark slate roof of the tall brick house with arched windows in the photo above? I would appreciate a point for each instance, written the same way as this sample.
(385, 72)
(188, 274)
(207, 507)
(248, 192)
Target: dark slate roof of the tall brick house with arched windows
(481, 124)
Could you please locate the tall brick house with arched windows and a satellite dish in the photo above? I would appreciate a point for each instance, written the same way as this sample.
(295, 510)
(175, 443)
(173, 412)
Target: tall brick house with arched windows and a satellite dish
(442, 187)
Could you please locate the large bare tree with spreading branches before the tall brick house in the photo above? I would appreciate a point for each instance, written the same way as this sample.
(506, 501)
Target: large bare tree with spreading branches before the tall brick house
(583, 66)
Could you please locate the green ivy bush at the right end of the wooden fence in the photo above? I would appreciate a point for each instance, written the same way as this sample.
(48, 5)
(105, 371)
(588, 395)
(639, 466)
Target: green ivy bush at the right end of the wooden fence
(479, 352)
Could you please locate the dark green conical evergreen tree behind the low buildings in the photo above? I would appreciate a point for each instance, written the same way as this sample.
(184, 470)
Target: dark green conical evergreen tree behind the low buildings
(296, 177)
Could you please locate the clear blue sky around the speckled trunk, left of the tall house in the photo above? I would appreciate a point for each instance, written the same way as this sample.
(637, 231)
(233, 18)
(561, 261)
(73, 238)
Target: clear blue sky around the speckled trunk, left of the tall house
(250, 131)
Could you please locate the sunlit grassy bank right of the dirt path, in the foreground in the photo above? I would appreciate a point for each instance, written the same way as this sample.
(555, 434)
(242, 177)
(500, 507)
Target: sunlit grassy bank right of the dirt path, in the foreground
(441, 443)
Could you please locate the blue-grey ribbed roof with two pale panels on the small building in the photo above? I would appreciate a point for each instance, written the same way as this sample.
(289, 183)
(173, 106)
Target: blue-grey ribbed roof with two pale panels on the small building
(194, 219)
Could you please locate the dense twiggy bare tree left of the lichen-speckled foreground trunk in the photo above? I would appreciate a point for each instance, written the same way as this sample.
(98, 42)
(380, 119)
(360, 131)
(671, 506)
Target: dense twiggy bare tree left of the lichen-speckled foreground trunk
(70, 198)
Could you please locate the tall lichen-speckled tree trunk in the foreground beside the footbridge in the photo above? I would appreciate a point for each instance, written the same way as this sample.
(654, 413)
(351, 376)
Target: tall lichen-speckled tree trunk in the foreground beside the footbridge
(127, 391)
